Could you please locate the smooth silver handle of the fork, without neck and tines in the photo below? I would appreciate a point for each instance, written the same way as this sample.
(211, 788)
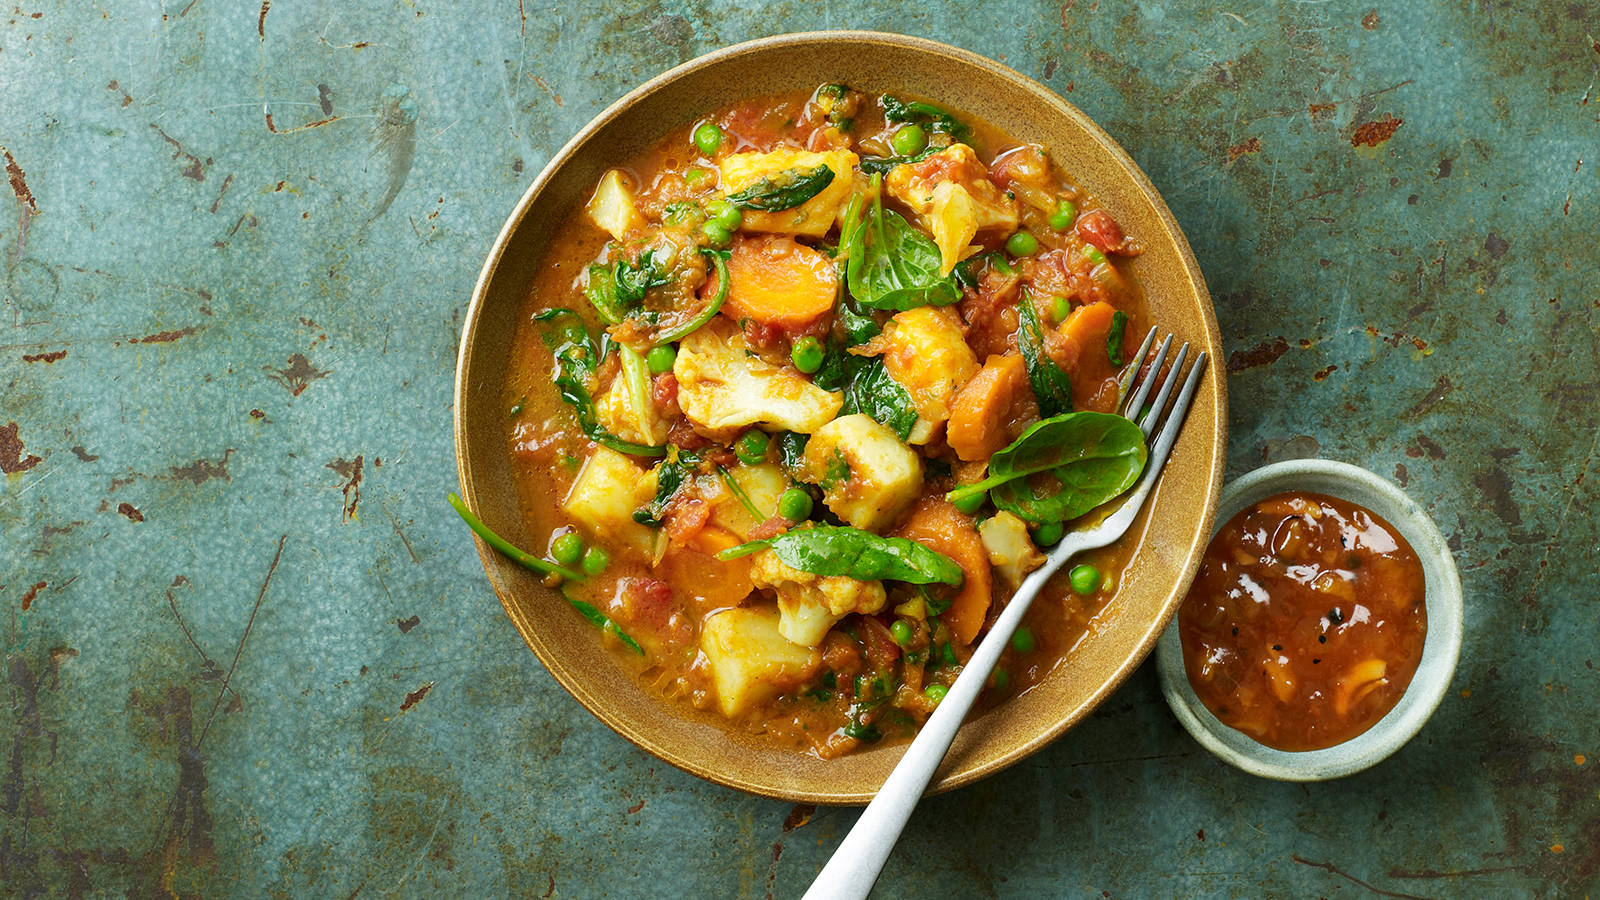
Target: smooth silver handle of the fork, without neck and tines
(860, 858)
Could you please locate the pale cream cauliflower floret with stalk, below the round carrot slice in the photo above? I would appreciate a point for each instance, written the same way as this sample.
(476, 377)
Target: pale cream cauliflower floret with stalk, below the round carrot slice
(722, 388)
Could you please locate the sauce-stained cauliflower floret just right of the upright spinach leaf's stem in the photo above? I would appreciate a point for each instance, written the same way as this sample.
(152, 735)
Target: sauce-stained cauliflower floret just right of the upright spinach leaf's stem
(954, 199)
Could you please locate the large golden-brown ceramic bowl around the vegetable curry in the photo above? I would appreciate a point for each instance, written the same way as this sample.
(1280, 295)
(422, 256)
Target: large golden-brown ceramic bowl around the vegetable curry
(1183, 507)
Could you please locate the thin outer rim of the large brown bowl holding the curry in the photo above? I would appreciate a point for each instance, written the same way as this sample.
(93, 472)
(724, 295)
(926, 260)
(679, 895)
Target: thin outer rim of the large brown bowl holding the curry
(1143, 187)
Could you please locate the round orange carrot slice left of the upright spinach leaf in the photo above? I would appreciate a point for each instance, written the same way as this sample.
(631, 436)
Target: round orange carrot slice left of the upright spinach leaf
(778, 281)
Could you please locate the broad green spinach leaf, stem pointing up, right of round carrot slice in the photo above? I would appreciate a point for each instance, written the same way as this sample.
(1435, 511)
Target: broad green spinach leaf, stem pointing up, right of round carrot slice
(894, 265)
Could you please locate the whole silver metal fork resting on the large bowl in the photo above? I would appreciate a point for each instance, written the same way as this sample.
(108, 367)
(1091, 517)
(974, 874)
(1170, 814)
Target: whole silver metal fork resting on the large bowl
(860, 858)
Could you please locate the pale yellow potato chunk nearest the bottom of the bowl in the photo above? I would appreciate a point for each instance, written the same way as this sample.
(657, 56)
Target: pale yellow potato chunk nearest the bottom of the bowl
(753, 662)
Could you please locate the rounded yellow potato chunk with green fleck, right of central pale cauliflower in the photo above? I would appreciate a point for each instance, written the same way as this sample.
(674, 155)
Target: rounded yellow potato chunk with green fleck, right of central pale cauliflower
(866, 473)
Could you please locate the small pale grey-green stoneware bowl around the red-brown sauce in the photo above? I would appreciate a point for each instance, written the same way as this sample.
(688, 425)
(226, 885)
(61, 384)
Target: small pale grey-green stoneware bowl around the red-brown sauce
(1441, 649)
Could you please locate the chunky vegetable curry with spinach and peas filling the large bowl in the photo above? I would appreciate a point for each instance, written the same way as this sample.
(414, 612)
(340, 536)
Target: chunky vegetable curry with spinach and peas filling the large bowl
(801, 396)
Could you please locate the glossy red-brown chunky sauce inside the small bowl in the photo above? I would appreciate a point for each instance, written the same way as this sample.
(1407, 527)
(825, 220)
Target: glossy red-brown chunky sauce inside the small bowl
(1306, 622)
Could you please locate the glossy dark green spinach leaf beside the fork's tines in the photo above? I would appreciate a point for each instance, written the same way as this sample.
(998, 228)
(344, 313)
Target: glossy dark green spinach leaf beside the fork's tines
(1063, 467)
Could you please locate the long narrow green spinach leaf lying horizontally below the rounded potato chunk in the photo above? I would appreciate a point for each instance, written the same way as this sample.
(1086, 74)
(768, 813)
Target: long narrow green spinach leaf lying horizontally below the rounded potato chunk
(841, 550)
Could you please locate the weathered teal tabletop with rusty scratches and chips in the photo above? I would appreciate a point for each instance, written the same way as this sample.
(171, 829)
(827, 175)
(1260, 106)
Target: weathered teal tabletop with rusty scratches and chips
(250, 651)
